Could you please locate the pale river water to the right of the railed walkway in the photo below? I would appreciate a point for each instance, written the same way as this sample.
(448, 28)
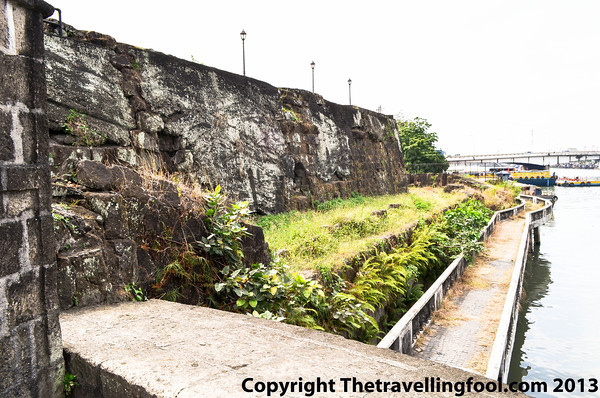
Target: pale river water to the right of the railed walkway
(558, 332)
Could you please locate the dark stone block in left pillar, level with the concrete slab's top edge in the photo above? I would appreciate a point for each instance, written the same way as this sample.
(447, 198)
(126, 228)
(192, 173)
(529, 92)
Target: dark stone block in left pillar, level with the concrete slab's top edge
(25, 298)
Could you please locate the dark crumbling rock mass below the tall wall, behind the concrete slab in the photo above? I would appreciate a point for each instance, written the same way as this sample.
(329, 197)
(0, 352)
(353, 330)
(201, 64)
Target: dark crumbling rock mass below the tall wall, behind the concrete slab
(115, 227)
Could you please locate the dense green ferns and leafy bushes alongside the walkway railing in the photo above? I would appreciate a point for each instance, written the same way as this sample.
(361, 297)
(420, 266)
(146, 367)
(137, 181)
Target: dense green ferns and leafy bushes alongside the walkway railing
(391, 281)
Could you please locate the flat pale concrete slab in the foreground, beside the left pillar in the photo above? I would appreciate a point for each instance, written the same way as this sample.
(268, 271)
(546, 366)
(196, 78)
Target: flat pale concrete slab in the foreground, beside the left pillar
(163, 349)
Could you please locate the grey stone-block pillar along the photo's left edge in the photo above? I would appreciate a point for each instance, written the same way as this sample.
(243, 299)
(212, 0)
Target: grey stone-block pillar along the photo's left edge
(30, 339)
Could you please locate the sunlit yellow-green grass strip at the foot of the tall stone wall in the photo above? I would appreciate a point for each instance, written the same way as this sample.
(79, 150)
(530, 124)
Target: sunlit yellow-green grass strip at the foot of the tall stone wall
(334, 231)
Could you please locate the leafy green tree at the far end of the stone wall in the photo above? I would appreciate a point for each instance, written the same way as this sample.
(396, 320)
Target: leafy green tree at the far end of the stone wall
(418, 146)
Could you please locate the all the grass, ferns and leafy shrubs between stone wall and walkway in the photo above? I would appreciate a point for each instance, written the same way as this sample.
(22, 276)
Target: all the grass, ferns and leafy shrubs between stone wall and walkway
(210, 270)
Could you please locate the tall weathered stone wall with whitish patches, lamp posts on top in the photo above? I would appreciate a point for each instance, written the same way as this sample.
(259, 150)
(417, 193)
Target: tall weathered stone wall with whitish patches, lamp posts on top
(276, 148)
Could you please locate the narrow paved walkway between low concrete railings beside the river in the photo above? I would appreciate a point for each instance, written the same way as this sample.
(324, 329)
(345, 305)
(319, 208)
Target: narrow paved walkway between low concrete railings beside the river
(462, 332)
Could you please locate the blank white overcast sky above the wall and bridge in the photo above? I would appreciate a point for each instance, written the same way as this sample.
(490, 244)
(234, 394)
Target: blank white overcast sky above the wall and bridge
(490, 76)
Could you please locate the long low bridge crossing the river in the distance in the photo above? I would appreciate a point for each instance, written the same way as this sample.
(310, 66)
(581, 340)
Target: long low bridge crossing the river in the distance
(539, 158)
